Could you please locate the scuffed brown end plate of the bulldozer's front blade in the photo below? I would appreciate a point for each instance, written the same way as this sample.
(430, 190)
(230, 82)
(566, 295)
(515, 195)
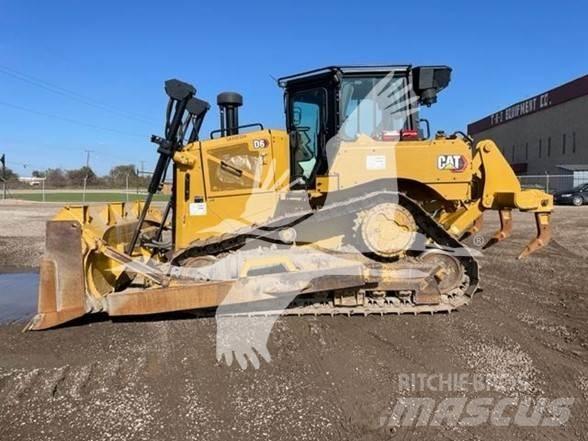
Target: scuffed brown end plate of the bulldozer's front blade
(61, 282)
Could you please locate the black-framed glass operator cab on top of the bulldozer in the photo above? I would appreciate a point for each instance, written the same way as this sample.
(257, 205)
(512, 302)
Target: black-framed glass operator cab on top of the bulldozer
(333, 104)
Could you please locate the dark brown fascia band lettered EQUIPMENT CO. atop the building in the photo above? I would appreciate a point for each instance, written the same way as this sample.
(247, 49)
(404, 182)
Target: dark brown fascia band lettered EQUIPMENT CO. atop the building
(566, 92)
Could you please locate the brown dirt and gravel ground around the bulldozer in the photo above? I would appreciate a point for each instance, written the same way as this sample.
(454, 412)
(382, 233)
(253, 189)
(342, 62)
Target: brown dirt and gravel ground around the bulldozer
(329, 378)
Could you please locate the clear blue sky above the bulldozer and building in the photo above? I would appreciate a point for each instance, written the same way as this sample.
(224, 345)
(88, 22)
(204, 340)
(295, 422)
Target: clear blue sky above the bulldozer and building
(88, 76)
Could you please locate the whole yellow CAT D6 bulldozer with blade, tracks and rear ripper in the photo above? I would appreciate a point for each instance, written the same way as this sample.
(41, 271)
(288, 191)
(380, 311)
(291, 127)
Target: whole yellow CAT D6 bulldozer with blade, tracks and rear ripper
(355, 208)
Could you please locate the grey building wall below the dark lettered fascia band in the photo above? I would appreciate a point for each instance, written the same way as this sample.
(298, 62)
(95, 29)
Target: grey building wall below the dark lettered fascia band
(527, 139)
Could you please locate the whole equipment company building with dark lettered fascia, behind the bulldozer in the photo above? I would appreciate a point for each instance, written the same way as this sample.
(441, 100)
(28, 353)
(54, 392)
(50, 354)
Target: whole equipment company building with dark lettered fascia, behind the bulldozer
(546, 134)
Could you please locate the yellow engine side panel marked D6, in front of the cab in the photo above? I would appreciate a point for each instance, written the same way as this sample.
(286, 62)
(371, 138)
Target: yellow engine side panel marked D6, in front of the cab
(227, 183)
